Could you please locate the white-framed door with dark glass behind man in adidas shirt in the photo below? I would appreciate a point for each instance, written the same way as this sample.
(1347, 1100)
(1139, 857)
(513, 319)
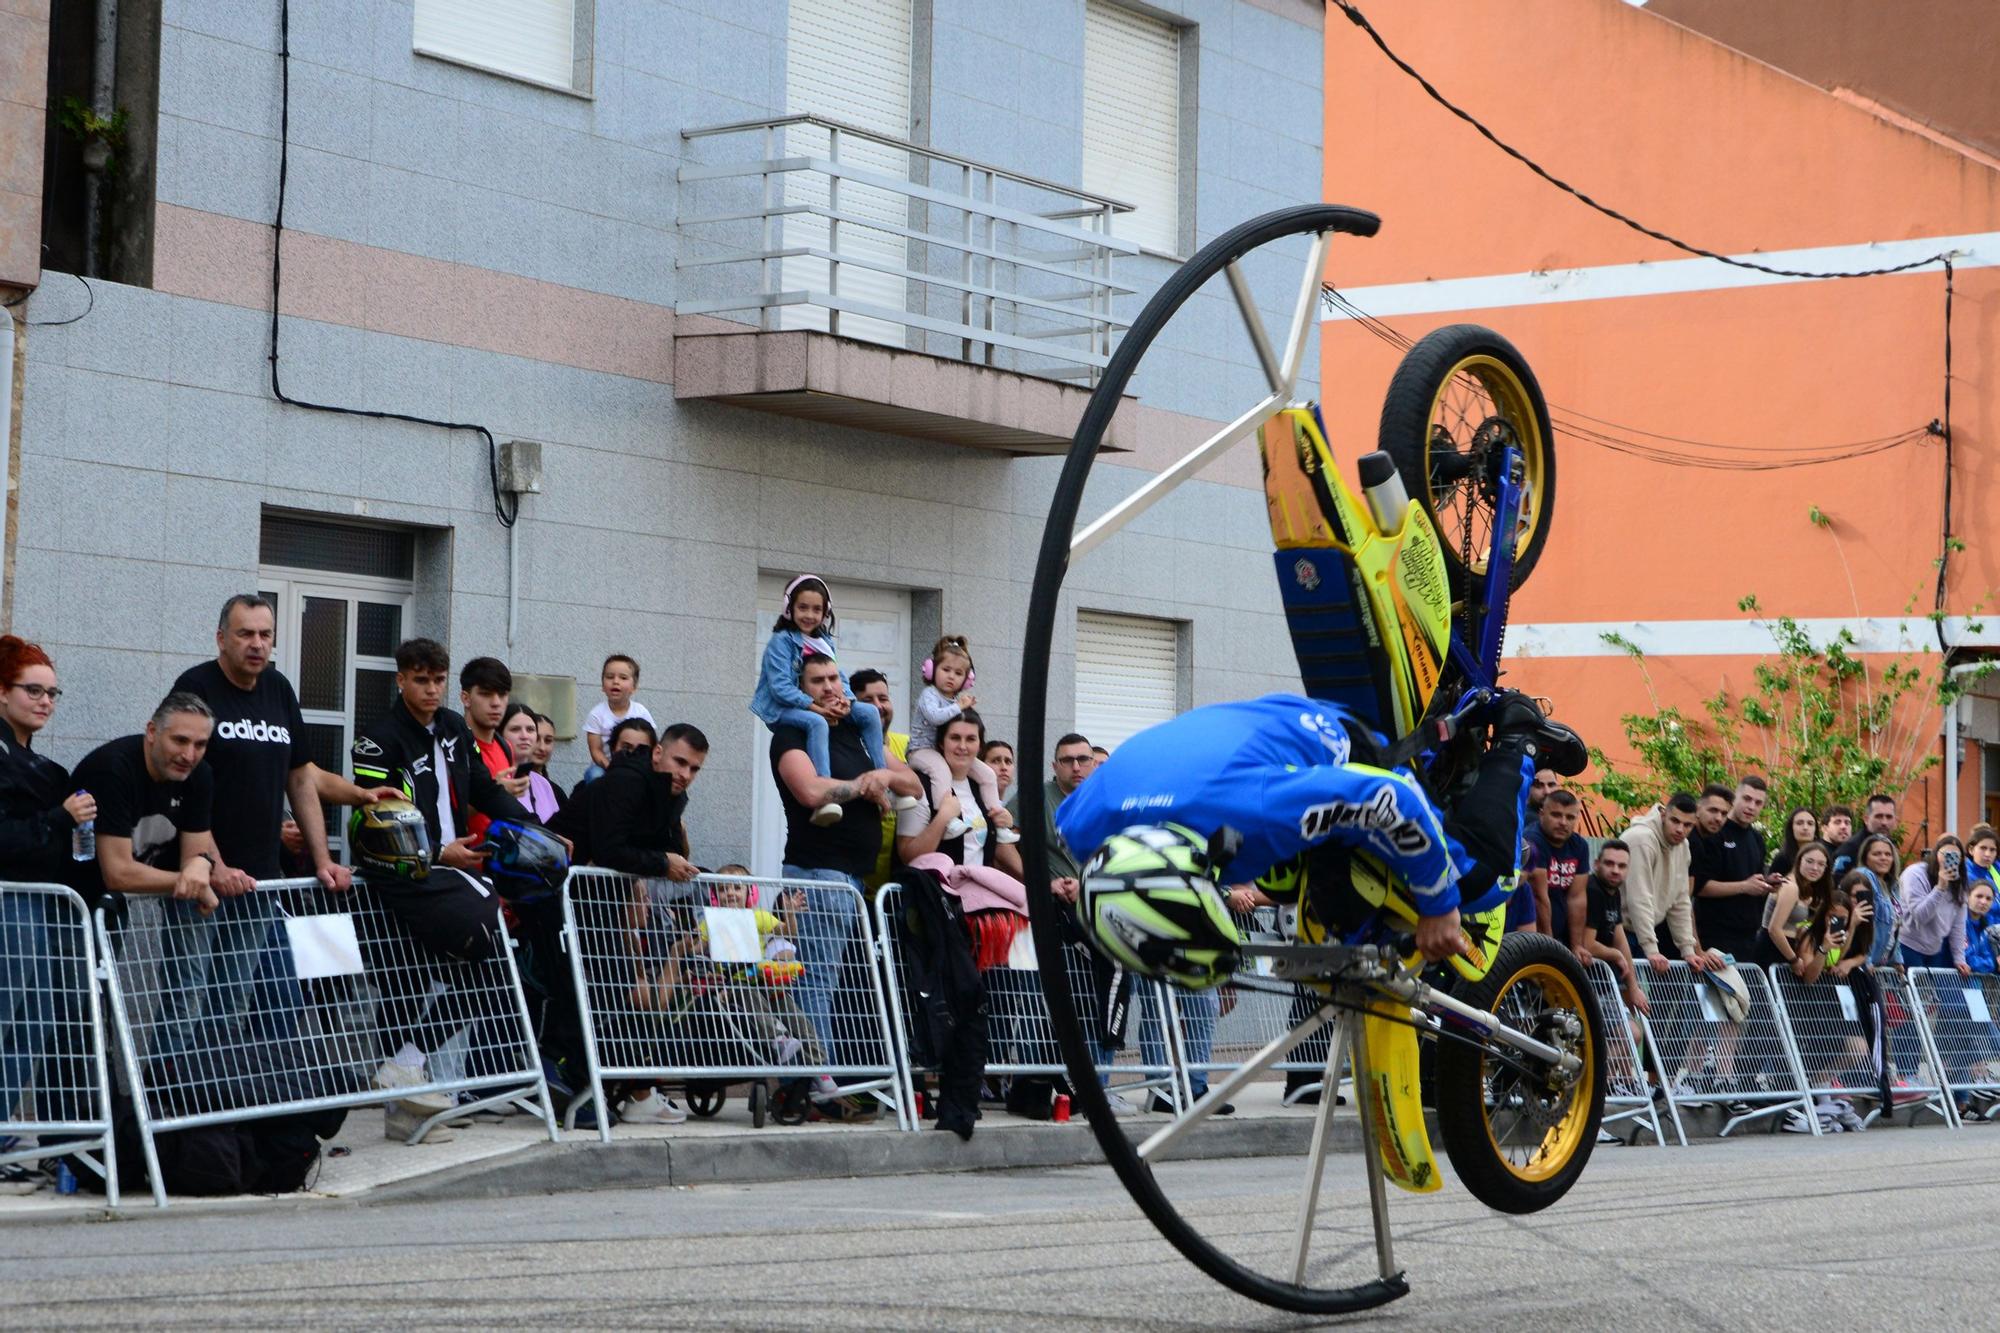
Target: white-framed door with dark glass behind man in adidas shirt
(345, 597)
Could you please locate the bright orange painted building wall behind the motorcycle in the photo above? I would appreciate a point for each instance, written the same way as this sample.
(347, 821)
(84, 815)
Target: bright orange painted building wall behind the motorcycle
(1731, 155)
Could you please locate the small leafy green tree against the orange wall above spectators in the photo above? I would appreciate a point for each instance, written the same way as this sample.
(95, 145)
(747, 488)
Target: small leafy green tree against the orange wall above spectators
(1819, 724)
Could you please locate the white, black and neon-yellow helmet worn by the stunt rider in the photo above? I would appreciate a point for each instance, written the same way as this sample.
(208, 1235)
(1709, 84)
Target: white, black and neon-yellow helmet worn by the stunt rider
(1149, 902)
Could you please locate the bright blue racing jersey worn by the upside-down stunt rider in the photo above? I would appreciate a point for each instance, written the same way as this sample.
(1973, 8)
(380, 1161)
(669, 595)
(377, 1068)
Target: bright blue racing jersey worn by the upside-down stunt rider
(1281, 772)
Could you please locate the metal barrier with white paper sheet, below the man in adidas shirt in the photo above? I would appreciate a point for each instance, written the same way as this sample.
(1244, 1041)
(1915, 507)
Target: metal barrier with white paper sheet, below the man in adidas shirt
(289, 1000)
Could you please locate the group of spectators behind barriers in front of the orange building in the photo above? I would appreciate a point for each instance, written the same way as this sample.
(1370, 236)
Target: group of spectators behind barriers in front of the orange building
(1693, 880)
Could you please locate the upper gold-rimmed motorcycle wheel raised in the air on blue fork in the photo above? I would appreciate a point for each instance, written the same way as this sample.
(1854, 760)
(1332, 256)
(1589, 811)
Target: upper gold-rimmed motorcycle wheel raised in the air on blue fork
(1459, 399)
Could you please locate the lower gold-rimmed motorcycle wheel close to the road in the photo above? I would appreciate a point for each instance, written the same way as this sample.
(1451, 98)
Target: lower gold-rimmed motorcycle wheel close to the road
(1517, 1138)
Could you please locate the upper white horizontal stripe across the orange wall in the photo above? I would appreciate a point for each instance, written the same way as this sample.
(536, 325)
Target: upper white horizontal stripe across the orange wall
(1655, 279)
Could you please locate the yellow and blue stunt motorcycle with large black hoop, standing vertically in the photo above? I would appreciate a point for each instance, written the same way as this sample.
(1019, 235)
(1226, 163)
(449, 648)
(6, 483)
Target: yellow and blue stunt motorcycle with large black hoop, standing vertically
(1397, 601)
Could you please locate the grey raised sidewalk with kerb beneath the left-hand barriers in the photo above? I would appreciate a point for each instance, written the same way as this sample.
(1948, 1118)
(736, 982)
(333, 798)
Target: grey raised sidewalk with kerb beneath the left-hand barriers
(515, 1156)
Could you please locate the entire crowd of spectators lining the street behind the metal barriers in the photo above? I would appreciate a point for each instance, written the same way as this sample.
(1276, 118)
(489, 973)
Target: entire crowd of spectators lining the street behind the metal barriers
(219, 792)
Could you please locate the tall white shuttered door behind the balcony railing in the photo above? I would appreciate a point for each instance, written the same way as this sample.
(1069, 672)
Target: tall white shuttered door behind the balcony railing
(849, 61)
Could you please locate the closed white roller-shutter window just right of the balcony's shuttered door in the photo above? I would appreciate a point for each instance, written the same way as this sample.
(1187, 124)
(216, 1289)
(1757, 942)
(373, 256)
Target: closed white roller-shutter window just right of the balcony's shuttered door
(1133, 121)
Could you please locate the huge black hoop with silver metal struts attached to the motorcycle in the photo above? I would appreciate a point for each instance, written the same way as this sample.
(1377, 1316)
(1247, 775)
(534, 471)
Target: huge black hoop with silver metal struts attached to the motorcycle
(1259, 1254)
